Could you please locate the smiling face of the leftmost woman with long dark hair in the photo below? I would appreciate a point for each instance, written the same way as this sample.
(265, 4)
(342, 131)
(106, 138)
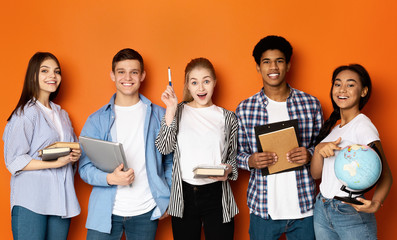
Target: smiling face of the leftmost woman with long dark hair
(49, 79)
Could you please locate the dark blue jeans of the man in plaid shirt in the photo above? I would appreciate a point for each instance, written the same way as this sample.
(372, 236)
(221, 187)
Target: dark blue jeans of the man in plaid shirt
(294, 229)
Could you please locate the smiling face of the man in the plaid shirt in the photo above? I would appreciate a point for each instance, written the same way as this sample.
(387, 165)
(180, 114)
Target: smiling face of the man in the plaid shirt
(273, 68)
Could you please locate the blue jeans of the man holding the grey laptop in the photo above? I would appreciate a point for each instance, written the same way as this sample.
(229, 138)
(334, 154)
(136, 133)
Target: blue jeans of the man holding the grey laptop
(136, 227)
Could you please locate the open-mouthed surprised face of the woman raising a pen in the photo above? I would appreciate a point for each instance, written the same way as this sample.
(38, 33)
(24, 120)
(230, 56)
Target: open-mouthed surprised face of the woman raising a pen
(201, 86)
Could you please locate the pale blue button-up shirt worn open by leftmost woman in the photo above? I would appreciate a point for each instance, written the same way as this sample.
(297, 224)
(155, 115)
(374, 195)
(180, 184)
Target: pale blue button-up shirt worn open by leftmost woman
(48, 191)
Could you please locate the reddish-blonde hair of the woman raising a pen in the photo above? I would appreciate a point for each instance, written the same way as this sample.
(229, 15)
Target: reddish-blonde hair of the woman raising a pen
(196, 63)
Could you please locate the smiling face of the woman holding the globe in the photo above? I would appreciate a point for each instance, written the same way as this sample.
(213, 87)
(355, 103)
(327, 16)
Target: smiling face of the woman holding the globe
(347, 90)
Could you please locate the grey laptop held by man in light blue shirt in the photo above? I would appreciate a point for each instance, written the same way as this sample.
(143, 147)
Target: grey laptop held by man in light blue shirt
(105, 155)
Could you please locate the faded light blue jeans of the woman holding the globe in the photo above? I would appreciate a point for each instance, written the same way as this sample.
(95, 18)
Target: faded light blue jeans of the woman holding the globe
(336, 220)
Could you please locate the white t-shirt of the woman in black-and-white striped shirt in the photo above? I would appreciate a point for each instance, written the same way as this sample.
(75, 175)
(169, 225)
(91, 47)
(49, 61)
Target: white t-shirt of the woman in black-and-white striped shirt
(201, 139)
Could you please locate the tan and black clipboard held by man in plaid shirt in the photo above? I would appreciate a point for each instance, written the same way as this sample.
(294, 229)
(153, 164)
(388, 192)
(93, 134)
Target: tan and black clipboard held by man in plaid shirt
(280, 138)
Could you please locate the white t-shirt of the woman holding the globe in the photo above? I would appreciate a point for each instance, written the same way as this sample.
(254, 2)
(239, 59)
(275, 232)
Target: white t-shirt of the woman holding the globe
(360, 130)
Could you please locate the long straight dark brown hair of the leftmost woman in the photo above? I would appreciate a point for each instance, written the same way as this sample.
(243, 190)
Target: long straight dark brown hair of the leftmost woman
(31, 87)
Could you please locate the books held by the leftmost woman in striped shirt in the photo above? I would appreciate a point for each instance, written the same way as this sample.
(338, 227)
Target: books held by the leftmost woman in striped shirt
(57, 149)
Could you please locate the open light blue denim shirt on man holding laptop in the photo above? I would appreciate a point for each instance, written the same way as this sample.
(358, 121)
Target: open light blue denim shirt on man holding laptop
(100, 125)
